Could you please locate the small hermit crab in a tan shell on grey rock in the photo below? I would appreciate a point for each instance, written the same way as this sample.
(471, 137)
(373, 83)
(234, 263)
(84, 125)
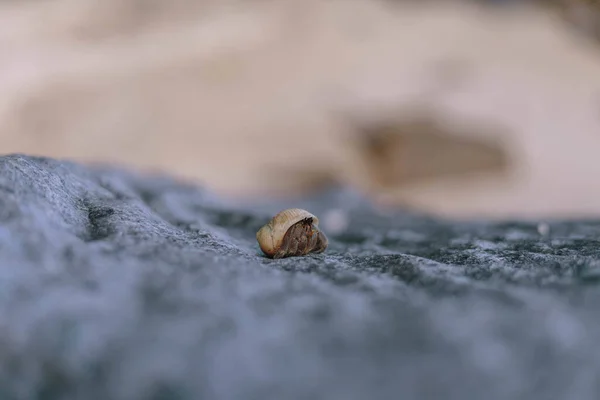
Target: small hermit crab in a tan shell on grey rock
(292, 232)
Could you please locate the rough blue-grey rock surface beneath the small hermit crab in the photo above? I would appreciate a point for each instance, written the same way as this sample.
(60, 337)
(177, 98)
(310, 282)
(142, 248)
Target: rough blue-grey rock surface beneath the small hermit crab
(118, 286)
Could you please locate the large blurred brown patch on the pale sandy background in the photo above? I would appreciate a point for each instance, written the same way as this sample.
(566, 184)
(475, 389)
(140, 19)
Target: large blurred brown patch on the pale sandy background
(423, 147)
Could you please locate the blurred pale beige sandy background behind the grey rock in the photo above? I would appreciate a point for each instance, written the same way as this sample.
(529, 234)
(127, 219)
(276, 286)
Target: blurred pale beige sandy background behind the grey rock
(450, 107)
